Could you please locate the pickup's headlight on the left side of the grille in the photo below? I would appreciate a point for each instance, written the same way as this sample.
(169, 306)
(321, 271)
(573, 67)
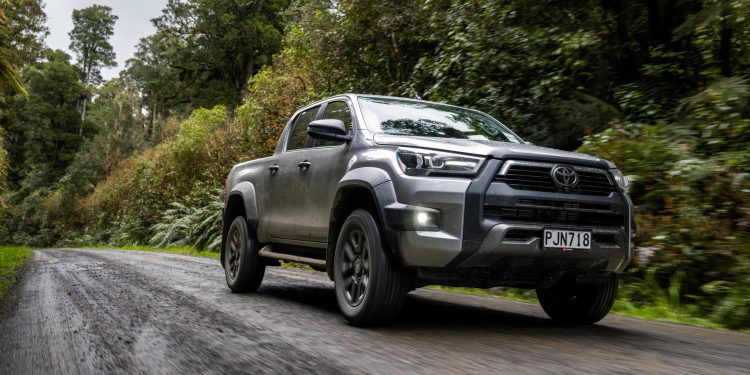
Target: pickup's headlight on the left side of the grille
(426, 162)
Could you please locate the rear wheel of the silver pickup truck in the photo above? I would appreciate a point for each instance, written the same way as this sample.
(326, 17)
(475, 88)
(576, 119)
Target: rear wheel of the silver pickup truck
(243, 267)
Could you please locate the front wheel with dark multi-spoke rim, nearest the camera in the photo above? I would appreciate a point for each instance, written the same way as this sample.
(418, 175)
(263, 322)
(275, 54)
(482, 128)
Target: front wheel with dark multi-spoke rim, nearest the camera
(370, 286)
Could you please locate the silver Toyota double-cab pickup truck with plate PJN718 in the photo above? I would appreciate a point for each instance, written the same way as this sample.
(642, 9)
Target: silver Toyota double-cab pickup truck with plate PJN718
(389, 194)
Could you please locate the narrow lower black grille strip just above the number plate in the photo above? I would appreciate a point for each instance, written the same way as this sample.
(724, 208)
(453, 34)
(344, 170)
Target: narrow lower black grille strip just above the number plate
(554, 213)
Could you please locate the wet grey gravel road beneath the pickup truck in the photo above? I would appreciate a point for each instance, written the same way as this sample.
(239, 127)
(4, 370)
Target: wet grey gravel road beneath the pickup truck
(91, 311)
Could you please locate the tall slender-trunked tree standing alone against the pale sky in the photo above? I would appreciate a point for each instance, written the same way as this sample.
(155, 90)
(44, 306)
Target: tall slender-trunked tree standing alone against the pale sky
(89, 40)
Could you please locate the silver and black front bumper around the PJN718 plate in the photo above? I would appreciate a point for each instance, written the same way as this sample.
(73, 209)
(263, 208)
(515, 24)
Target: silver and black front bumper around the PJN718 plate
(474, 232)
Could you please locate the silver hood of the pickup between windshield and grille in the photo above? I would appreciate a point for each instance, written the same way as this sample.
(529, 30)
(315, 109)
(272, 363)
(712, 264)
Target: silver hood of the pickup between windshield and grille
(498, 150)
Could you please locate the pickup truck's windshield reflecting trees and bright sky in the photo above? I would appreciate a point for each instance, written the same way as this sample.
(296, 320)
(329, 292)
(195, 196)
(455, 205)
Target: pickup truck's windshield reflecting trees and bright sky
(414, 118)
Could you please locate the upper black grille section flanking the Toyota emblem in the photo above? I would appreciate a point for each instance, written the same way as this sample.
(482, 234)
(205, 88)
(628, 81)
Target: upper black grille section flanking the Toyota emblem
(536, 177)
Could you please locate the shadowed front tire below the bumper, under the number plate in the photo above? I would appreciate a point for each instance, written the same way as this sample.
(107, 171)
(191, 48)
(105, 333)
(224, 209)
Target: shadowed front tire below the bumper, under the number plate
(570, 302)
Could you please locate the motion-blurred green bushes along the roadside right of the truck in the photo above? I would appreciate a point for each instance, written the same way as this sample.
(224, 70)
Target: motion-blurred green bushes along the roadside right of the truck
(691, 191)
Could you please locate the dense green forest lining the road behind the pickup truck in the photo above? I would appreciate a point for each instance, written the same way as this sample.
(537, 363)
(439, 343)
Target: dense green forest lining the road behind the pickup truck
(660, 87)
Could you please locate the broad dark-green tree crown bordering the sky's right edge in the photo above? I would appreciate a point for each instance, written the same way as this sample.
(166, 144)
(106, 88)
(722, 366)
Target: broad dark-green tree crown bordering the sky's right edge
(204, 51)
